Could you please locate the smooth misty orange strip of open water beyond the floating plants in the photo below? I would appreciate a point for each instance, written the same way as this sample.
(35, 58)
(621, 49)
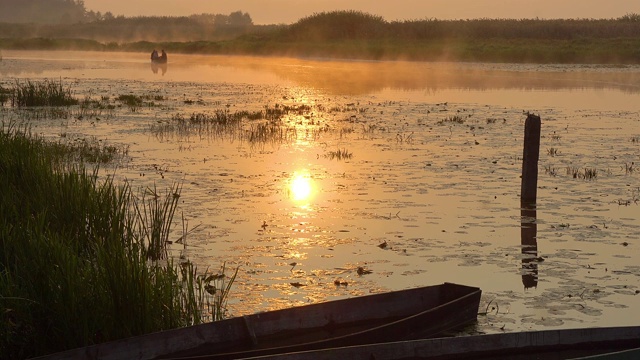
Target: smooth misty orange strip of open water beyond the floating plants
(524, 85)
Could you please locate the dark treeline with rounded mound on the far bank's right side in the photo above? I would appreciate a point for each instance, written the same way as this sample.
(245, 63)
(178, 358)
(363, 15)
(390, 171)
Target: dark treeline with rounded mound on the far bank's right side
(357, 25)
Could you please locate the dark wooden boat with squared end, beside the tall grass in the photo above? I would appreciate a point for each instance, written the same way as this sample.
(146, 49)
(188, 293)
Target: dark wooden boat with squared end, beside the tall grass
(407, 314)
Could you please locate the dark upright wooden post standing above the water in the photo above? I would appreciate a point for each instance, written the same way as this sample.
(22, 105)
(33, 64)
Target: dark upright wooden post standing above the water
(530, 155)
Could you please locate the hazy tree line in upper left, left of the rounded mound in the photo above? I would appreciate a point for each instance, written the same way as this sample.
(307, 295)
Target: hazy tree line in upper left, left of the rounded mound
(69, 19)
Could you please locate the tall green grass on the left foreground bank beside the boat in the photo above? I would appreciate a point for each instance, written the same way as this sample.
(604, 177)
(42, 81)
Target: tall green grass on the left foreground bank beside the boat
(75, 264)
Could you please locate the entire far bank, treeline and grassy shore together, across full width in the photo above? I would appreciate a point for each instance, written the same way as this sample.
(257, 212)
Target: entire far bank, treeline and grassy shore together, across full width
(352, 34)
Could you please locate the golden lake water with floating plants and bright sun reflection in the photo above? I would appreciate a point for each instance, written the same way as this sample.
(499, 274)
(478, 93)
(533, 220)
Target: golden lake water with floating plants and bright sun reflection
(408, 170)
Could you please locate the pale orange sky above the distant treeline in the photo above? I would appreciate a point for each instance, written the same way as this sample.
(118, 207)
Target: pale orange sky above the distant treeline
(289, 11)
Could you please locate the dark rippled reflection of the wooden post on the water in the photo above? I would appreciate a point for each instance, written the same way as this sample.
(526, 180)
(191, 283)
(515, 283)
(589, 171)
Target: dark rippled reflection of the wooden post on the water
(529, 242)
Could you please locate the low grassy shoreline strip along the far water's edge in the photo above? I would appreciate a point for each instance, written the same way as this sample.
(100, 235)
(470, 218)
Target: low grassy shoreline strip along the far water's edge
(621, 51)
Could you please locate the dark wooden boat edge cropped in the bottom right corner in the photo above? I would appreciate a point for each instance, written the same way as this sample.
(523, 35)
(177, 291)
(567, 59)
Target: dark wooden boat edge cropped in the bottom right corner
(591, 343)
